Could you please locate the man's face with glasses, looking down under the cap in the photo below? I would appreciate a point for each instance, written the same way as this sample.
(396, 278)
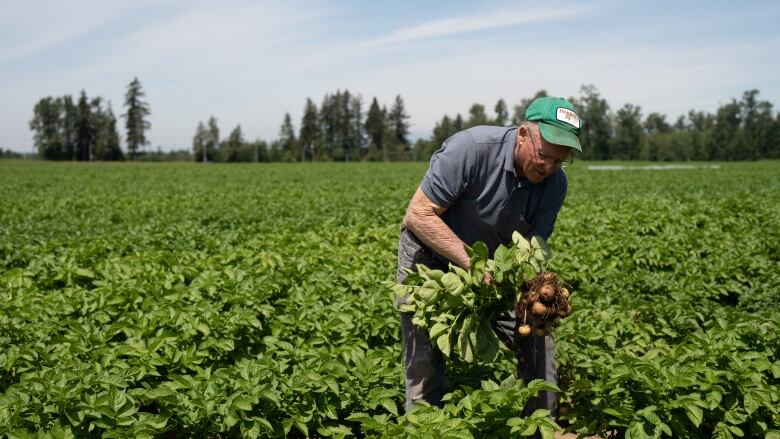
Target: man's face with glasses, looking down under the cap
(535, 158)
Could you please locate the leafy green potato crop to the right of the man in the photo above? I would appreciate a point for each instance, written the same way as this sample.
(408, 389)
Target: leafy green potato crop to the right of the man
(675, 324)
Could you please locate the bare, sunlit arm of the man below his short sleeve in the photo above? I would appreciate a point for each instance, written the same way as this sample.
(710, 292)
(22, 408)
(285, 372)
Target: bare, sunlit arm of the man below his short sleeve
(423, 218)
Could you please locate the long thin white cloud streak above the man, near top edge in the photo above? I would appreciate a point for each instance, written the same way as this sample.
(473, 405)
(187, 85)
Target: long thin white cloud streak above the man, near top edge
(475, 22)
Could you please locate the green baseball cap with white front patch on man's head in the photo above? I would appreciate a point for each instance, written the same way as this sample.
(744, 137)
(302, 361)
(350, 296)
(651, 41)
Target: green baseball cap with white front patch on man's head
(558, 121)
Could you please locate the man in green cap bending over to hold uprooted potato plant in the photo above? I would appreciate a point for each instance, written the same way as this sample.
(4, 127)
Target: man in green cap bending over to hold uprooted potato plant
(483, 184)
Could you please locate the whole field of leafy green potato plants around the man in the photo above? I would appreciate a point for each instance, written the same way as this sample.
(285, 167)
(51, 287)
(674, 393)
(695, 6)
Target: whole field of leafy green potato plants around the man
(183, 300)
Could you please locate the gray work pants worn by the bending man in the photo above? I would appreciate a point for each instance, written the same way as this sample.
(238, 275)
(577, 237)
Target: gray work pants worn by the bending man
(424, 363)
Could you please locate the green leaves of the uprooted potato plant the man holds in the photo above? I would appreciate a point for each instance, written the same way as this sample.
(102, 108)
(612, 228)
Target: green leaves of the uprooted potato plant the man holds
(458, 307)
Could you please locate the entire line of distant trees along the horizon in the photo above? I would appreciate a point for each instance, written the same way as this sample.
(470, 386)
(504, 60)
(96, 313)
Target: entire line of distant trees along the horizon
(341, 129)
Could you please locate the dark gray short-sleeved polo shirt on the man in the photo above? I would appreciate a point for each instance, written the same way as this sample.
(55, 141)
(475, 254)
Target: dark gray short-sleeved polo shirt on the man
(473, 176)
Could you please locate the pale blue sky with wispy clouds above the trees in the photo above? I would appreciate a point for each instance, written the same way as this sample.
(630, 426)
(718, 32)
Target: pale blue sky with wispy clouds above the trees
(248, 63)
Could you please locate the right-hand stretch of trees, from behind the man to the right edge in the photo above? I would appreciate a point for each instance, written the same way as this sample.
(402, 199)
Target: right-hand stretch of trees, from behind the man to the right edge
(745, 129)
